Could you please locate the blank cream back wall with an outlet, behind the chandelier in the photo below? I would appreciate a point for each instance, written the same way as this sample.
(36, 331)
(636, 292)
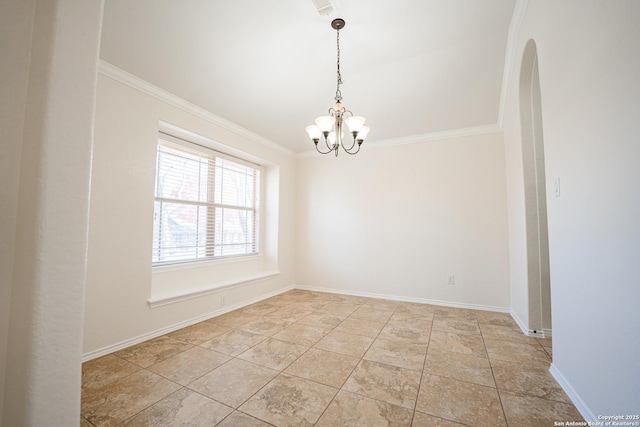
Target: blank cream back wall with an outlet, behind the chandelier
(397, 221)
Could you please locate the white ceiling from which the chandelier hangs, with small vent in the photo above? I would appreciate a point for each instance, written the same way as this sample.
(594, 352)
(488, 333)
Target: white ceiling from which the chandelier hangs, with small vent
(412, 67)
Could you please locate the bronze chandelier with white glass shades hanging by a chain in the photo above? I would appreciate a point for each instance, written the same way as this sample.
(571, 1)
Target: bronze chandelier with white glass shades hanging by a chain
(330, 128)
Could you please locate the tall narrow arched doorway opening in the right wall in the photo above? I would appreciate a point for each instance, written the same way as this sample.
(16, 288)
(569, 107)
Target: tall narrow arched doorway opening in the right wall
(539, 284)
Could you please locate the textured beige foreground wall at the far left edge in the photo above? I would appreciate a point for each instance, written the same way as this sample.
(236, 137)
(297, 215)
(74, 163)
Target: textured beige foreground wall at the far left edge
(50, 53)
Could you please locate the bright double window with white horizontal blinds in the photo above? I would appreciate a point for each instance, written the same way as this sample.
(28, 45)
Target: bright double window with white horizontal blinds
(206, 204)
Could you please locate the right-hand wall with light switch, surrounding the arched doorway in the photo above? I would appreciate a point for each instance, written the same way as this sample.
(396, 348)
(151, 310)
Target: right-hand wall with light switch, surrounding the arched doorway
(589, 66)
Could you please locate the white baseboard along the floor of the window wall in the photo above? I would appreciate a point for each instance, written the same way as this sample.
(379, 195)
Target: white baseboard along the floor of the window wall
(144, 337)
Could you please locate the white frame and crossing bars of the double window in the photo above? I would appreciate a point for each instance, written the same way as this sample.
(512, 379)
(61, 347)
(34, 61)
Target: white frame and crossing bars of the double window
(192, 147)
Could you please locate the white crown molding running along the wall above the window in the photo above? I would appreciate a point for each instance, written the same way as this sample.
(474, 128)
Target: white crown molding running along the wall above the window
(119, 75)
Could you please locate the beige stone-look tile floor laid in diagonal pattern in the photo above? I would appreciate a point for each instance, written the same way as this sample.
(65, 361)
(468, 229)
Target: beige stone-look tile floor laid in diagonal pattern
(307, 358)
